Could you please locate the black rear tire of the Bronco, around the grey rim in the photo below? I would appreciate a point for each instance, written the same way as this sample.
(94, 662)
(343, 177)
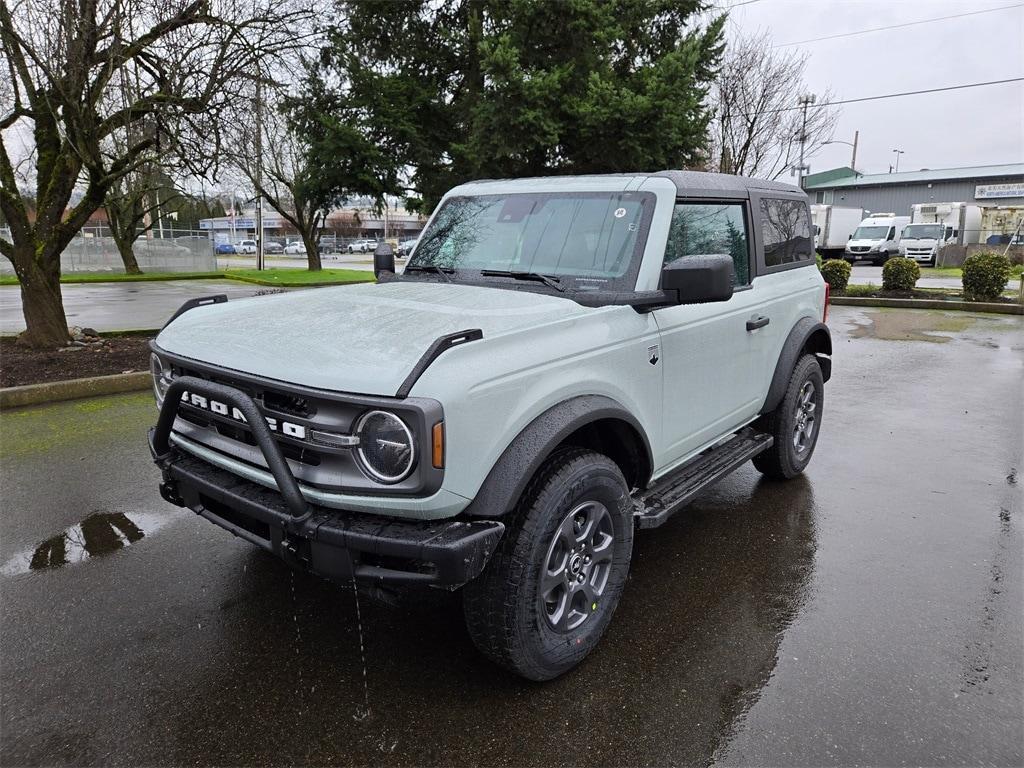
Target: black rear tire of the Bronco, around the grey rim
(784, 460)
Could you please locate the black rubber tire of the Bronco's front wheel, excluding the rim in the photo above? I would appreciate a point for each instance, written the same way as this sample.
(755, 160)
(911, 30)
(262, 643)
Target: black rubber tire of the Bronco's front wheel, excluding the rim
(502, 608)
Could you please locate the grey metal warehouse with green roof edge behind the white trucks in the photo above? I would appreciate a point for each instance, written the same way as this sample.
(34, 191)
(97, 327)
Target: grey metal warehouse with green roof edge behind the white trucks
(992, 186)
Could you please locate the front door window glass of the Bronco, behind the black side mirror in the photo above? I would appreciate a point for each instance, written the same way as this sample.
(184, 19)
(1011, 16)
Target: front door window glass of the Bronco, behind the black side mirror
(703, 229)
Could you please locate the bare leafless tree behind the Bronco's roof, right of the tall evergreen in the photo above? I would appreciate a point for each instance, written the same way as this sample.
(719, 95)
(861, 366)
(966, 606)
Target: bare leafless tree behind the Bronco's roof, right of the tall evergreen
(756, 130)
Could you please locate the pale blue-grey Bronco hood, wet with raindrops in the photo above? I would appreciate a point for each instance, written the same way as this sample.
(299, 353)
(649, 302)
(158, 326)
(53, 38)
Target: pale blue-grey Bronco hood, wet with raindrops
(363, 339)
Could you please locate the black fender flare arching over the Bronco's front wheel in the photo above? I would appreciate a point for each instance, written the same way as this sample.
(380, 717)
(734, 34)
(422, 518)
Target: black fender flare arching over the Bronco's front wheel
(521, 460)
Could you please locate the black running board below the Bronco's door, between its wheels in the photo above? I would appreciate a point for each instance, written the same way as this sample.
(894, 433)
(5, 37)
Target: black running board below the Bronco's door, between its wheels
(674, 492)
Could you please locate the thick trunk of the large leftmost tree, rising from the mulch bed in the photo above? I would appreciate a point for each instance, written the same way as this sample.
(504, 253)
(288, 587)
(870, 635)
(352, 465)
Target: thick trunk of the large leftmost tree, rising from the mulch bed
(47, 326)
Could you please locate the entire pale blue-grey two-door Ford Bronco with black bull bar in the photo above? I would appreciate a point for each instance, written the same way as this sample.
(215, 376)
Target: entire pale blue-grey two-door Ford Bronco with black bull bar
(563, 362)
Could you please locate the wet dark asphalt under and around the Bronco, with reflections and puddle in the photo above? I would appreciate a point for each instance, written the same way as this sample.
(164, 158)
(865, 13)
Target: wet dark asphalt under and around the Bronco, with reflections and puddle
(867, 614)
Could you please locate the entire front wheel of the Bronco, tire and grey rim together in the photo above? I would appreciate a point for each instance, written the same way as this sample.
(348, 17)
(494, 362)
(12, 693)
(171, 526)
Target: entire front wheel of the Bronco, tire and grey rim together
(550, 590)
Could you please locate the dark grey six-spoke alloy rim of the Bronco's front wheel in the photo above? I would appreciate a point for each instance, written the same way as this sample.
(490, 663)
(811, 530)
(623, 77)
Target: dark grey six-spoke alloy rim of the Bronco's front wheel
(577, 567)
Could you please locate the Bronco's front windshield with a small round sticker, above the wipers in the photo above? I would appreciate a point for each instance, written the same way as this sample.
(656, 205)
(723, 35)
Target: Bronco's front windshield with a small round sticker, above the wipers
(588, 241)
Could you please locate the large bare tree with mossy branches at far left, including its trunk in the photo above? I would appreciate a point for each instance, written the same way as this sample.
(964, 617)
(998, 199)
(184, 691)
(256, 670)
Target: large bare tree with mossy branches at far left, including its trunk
(81, 73)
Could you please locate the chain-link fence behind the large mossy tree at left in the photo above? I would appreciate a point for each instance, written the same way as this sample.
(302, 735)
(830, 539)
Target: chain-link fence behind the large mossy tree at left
(94, 250)
